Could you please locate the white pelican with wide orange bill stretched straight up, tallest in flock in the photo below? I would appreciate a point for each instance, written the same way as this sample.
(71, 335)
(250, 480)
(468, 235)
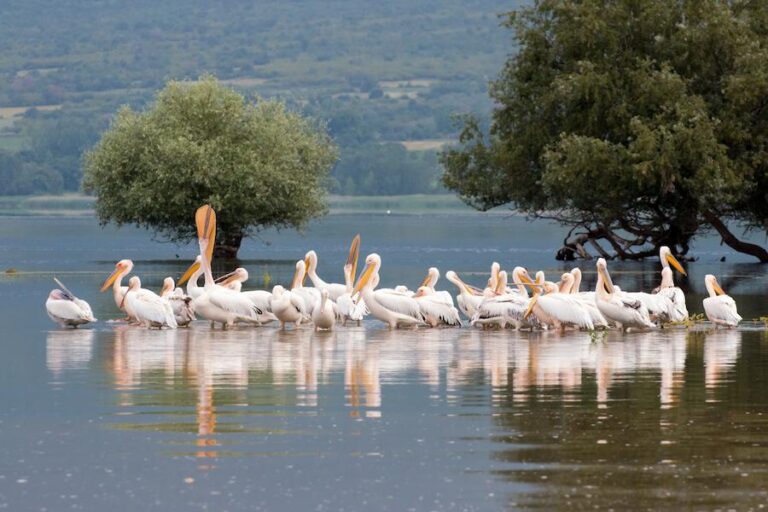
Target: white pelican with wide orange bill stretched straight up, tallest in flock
(217, 303)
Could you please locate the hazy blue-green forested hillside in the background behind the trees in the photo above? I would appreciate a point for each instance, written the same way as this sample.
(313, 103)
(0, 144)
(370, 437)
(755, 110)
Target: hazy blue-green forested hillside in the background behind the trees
(380, 74)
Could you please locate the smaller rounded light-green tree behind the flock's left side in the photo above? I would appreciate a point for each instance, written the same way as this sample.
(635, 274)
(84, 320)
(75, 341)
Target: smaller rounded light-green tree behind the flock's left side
(258, 165)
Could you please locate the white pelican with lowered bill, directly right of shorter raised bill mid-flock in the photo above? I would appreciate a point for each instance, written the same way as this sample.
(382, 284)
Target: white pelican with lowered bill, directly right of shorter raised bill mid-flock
(394, 309)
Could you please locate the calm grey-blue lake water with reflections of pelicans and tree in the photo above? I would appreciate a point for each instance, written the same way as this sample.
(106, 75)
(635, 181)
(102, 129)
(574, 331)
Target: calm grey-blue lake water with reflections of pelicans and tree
(120, 418)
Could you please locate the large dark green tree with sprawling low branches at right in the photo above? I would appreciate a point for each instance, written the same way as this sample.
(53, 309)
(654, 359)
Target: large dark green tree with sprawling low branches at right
(637, 124)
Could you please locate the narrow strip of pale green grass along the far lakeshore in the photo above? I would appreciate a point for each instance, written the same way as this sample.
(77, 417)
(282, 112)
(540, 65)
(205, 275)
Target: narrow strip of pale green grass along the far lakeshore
(78, 205)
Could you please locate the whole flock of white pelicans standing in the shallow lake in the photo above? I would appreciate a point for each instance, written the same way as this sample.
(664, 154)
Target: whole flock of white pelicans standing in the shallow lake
(525, 303)
